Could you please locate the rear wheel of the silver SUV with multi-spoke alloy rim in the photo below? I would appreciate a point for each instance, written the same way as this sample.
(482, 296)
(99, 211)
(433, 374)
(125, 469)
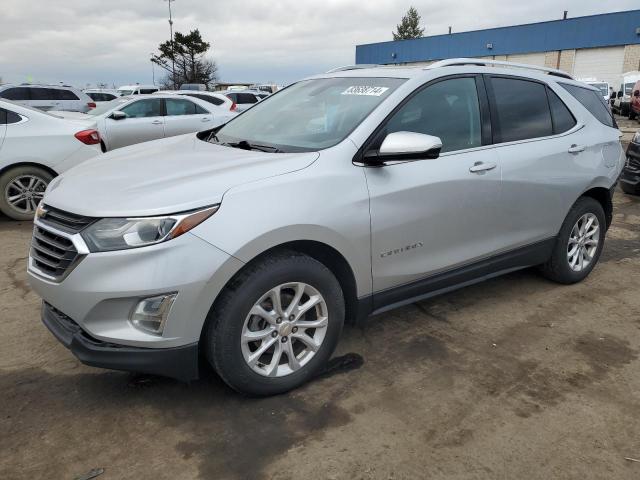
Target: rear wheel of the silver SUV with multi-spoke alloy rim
(563, 267)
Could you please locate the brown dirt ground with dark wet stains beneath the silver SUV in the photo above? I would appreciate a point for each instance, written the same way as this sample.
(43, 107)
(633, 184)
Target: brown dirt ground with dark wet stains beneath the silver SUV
(515, 378)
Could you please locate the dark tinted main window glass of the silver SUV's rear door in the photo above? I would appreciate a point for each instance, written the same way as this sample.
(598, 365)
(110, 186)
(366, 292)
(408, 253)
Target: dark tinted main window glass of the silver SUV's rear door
(521, 110)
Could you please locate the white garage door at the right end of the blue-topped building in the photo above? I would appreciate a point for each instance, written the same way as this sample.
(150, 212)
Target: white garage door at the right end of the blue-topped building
(599, 63)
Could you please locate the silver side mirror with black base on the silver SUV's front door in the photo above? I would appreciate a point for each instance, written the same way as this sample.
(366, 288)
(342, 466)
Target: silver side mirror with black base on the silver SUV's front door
(409, 146)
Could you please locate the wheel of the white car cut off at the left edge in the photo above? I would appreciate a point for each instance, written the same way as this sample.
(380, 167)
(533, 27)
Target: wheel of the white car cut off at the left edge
(21, 190)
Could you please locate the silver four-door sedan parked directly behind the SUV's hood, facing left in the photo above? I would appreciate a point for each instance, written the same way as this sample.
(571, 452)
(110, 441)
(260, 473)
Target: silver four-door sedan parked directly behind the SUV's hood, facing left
(135, 119)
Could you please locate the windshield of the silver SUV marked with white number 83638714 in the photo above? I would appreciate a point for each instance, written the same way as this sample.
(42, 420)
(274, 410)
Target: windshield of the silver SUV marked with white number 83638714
(309, 115)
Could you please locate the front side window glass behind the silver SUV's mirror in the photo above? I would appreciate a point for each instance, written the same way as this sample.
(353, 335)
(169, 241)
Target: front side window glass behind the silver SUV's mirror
(448, 109)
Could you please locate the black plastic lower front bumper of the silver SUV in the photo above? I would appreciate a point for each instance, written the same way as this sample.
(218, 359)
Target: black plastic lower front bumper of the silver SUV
(177, 362)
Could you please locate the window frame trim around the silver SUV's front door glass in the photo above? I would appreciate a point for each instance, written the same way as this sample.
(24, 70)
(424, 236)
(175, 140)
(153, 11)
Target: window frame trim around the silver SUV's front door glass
(485, 121)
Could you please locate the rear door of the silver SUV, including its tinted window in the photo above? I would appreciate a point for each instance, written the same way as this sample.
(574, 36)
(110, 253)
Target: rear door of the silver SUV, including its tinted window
(539, 144)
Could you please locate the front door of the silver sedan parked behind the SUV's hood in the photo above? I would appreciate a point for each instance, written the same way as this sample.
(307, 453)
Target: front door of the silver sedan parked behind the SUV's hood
(144, 122)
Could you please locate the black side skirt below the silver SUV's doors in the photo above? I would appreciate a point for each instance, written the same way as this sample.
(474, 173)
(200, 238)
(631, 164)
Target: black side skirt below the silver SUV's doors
(460, 277)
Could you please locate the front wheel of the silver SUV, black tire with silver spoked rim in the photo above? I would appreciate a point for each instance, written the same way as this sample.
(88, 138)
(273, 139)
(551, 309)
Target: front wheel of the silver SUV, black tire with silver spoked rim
(276, 325)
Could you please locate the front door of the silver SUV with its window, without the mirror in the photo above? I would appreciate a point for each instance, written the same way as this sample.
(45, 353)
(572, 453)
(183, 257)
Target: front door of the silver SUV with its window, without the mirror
(429, 216)
